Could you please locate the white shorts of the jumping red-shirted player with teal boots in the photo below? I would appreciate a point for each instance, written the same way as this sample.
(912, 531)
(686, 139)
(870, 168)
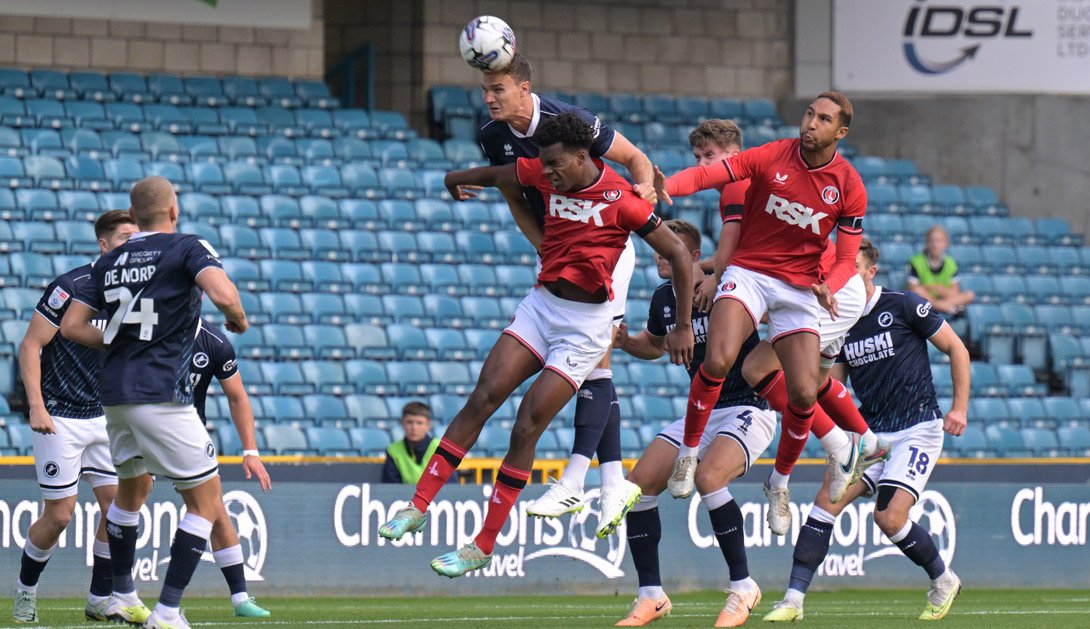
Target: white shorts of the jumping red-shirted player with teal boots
(567, 337)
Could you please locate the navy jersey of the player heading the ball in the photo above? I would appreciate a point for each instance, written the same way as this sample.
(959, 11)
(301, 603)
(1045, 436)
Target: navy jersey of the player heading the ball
(504, 146)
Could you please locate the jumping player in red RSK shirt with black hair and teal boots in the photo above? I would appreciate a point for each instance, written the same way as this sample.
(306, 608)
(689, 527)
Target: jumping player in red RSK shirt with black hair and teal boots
(563, 329)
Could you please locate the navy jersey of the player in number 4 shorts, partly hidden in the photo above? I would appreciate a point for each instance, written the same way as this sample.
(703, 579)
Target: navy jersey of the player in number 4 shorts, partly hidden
(662, 318)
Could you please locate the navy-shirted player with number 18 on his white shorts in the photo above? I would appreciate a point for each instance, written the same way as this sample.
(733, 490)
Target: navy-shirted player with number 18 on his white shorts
(887, 357)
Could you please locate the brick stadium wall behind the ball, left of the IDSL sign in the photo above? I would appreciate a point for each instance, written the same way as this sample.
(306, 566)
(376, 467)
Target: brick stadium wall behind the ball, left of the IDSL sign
(737, 49)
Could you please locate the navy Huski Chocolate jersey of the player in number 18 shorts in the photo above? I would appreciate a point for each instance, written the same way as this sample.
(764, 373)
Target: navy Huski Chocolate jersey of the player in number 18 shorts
(887, 354)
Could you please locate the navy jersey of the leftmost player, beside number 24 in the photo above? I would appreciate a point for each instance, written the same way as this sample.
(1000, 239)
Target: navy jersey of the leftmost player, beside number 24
(70, 372)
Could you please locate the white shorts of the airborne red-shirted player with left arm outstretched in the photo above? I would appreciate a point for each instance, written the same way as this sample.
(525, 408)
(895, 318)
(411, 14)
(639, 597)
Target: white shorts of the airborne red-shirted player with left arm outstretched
(791, 309)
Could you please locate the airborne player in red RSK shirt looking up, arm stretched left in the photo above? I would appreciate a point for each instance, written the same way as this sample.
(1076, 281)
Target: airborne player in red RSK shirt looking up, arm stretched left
(800, 191)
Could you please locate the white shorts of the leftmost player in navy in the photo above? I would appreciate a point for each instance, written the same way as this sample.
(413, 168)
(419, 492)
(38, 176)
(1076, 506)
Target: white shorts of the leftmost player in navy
(78, 447)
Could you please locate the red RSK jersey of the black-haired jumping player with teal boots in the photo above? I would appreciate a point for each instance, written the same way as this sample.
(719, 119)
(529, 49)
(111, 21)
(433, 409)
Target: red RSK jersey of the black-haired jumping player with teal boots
(586, 232)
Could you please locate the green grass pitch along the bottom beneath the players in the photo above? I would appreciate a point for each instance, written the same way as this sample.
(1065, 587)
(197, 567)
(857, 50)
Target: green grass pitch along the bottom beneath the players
(991, 609)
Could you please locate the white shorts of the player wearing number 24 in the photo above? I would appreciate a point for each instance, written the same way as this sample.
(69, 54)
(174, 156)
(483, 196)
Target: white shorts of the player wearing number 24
(166, 440)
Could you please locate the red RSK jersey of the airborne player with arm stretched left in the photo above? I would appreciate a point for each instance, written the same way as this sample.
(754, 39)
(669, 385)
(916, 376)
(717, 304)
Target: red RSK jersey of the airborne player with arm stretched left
(790, 211)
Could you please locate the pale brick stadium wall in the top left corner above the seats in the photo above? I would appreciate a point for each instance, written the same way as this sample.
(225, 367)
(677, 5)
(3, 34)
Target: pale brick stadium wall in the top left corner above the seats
(148, 47)
